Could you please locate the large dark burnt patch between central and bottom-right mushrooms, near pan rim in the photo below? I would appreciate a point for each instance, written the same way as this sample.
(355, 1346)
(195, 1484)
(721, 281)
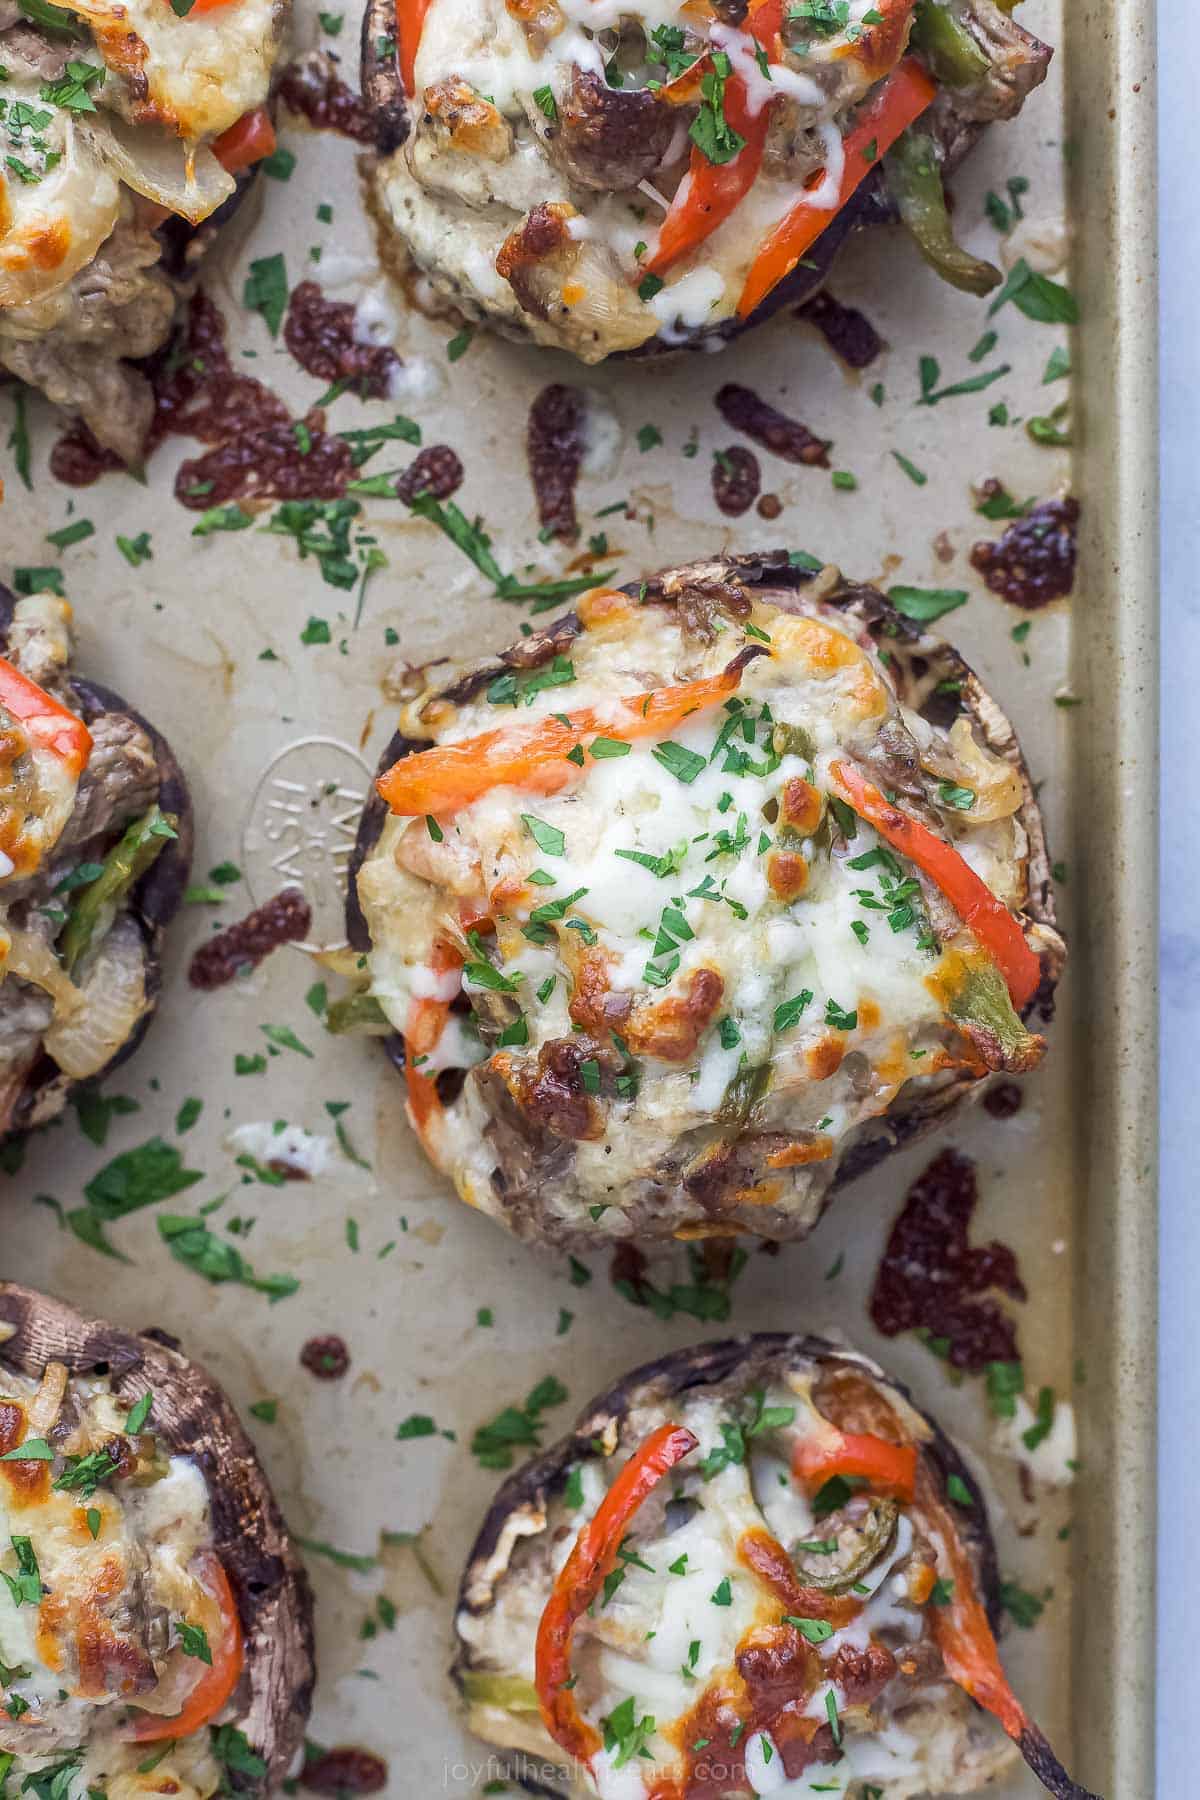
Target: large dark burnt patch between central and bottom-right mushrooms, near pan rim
(935, 1279)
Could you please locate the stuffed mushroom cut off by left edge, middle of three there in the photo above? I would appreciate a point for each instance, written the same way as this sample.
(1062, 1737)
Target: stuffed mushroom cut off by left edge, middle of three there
(96, 836)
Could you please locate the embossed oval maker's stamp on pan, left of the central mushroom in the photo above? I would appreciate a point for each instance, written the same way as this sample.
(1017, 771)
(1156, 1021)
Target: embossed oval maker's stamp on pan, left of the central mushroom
(301, 829)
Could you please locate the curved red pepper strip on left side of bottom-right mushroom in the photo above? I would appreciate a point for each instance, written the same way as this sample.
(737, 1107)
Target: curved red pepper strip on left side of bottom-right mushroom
(582, 1576)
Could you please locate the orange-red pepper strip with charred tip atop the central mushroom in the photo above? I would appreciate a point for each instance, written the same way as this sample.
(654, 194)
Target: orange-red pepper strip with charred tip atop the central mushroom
(452, 777)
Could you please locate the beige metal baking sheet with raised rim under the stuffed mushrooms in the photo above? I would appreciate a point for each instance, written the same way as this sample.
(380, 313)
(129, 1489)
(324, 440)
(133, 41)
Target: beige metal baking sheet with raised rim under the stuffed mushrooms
(280, 753)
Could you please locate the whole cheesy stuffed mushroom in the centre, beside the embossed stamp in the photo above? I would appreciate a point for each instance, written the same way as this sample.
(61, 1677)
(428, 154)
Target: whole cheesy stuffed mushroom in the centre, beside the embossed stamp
(699, 903)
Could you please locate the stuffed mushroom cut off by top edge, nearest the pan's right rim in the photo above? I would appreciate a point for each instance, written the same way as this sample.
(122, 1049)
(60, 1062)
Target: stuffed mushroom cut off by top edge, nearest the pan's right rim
(609, 179)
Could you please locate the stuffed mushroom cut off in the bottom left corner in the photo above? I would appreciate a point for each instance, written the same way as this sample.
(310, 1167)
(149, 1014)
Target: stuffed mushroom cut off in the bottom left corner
(156, 1623)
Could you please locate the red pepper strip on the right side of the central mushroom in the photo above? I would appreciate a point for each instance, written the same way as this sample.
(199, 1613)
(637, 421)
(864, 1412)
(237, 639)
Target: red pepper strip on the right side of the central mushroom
(980, 910)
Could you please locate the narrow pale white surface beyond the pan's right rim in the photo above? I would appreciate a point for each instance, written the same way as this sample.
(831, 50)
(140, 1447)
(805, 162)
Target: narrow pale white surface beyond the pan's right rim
(1179, 1545)
